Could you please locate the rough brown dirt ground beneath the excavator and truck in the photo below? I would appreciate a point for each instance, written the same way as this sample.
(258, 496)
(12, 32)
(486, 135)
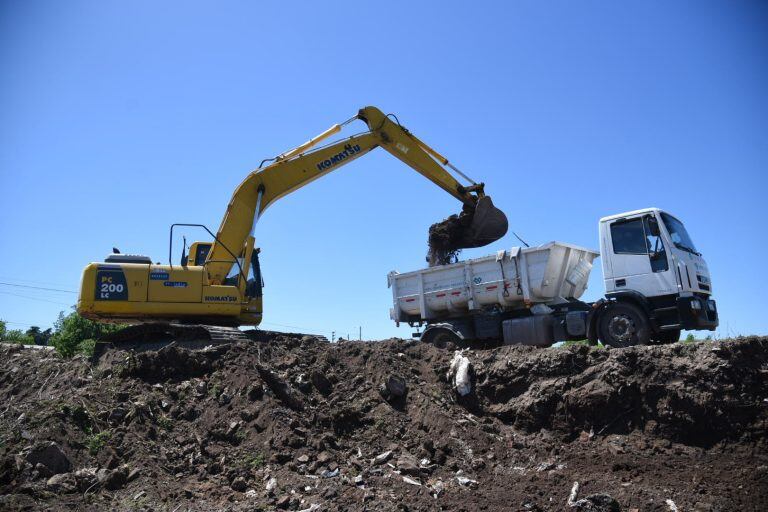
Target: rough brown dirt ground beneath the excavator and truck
(301, 424)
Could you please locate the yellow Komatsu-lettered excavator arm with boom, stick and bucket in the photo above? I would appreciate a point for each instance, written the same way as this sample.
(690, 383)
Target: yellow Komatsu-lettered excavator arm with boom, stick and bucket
(303, 164)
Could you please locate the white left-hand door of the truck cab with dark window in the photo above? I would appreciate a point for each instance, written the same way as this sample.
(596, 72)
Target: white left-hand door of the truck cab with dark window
(640, 258)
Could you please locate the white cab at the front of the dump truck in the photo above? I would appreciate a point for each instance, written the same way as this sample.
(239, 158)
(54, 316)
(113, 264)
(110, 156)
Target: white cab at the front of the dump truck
(651, 264)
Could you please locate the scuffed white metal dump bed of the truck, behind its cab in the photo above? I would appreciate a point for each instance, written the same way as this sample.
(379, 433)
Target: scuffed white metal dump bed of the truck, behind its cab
(517, 278)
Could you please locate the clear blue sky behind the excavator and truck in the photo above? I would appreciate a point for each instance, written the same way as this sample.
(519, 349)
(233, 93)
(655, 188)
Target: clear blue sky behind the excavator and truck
(118, 119)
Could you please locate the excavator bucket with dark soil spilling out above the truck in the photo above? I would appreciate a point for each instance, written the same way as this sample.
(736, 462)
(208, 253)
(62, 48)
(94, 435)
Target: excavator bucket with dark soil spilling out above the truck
(474, 227)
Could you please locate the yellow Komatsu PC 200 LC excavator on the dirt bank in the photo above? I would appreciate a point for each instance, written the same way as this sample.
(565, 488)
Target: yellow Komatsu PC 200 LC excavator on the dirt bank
(217, 286)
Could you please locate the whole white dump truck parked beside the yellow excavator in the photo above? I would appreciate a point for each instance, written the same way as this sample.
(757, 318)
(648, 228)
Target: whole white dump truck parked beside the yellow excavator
(656, 284)
